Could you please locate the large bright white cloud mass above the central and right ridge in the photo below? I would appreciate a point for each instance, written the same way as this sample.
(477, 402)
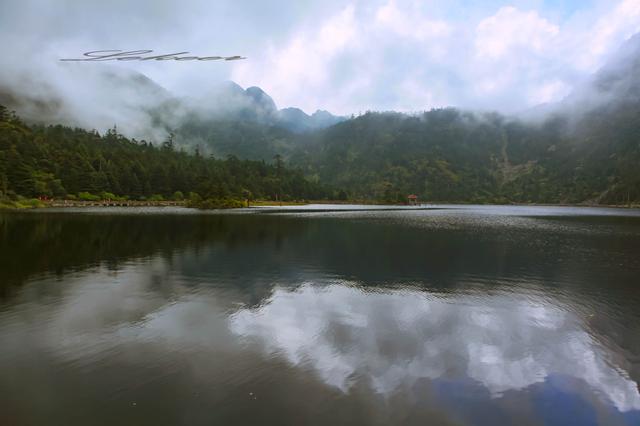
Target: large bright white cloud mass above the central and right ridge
(403, 55)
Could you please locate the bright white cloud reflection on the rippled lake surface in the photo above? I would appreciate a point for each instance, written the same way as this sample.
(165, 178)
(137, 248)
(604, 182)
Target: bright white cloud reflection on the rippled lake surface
(393, 338)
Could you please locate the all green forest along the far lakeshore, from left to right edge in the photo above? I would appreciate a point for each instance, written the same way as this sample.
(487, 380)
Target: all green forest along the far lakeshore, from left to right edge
(440, 155)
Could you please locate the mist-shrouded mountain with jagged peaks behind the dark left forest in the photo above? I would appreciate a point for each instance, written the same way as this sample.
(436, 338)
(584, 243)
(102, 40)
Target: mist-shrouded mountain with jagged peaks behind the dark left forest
(223, 119)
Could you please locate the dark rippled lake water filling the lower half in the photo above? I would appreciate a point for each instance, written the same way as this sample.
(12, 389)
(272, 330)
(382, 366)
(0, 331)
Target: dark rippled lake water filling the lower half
(452, 316)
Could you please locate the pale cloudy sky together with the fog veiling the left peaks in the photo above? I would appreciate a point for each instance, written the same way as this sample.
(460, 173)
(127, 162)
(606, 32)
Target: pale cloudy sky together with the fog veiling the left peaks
(347, 57)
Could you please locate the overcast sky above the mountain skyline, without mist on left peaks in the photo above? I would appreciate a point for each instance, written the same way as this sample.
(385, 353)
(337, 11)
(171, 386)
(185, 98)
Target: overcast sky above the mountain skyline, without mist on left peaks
(345, 56)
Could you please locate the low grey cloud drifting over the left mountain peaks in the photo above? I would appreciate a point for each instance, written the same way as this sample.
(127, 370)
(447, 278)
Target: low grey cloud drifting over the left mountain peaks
(109, 96)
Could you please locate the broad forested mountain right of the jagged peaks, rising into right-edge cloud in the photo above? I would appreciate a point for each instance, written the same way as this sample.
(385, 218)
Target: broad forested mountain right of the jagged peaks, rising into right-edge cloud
(583, 150)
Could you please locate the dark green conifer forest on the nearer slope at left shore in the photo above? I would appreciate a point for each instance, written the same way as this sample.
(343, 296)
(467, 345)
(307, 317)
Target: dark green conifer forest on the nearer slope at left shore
(62, 162)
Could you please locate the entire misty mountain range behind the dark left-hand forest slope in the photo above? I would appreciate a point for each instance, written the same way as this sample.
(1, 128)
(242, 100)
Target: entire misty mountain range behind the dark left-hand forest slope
(584, 149)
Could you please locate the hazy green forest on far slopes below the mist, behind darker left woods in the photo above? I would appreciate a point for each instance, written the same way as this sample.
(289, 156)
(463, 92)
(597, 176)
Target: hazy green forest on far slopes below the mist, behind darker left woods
(453, 155)
